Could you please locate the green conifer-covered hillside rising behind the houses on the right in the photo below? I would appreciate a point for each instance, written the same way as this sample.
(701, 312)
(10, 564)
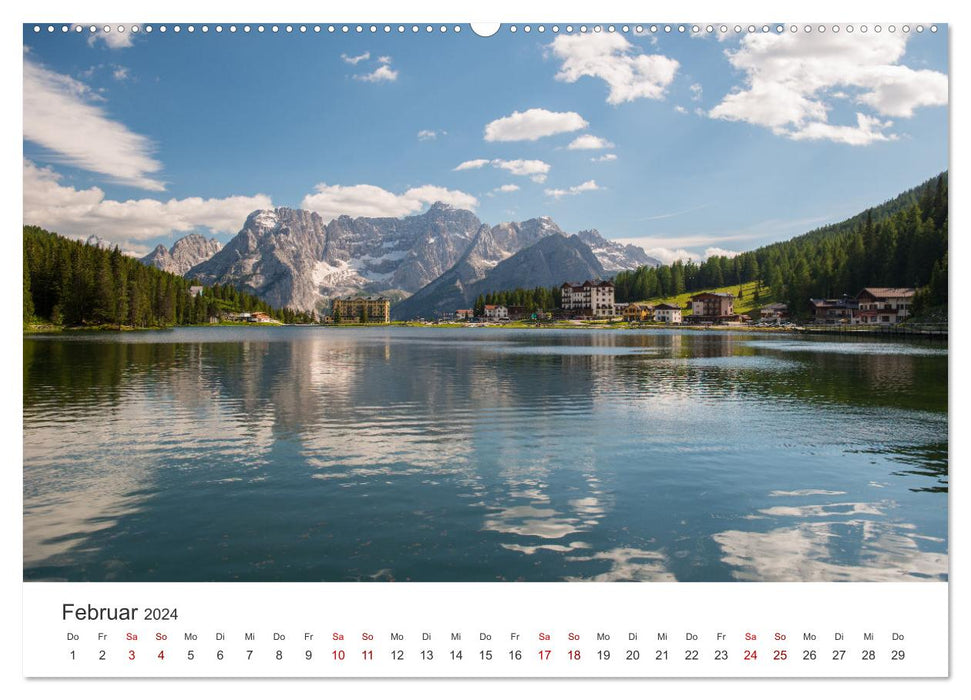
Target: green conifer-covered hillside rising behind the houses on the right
(901, 243)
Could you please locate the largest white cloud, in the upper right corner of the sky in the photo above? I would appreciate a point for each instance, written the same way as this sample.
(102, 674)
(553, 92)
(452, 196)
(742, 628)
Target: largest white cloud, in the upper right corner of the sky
(792, 81)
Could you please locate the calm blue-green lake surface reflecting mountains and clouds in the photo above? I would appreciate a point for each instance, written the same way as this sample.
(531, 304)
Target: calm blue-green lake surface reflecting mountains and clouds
(481, 454)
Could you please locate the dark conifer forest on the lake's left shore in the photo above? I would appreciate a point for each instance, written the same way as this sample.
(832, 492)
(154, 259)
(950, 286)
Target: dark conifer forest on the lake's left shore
(71, 283)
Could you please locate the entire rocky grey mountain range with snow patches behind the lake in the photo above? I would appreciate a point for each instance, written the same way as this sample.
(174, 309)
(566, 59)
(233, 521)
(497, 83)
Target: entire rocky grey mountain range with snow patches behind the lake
(292, 258)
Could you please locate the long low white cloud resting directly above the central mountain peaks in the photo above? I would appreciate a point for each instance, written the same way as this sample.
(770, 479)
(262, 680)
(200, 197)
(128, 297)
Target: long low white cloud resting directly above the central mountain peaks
(331, 201)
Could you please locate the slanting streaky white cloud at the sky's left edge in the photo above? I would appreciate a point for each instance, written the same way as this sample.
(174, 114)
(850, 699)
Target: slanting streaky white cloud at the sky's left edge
(59, 116)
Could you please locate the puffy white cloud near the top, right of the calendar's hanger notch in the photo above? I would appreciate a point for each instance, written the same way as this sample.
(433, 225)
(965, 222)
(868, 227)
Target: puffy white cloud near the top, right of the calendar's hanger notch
(613, 59)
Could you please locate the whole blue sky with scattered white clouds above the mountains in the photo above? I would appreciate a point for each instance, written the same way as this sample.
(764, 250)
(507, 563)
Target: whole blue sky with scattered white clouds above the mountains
(690, 144)
